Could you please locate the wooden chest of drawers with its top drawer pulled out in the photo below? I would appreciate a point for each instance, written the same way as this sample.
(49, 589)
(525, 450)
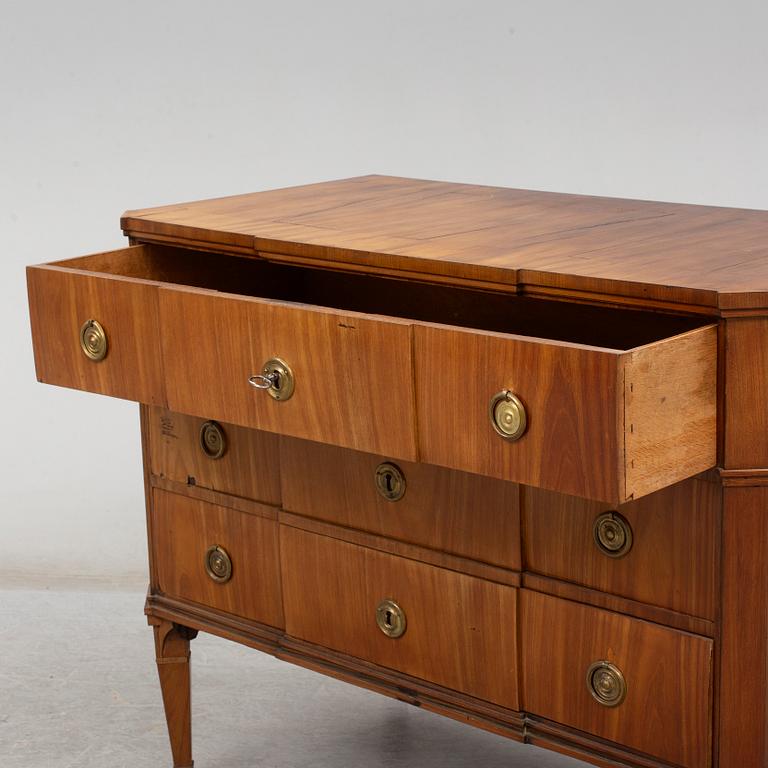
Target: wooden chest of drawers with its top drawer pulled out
(493, 452)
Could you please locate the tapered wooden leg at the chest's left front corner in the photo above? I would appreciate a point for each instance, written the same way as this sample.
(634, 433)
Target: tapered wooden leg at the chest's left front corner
(172, 655)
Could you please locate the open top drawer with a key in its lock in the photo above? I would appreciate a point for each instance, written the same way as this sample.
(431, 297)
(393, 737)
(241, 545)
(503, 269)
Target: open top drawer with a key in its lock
(608, 403)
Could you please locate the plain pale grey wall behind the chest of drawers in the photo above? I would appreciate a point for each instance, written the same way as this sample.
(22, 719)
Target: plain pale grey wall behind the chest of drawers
(106, 106)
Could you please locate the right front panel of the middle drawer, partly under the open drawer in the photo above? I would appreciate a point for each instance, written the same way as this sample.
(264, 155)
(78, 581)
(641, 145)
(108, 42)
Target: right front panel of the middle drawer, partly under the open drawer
(661, 549)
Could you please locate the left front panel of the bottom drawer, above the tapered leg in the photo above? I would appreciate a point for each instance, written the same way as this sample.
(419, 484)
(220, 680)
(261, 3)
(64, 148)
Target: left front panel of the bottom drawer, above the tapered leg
(241, 577)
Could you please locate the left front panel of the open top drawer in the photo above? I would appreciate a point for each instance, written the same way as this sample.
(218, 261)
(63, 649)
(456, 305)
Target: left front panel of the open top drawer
(62, 301)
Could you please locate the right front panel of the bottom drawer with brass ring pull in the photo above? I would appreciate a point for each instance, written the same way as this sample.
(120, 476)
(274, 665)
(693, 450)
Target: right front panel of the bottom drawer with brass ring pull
(667, 677)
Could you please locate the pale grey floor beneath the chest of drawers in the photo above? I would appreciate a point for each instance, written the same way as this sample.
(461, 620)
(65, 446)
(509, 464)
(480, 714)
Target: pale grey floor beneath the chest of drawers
(78, 689)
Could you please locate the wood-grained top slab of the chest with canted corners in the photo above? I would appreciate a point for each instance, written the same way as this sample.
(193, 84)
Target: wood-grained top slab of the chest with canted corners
(539, 241)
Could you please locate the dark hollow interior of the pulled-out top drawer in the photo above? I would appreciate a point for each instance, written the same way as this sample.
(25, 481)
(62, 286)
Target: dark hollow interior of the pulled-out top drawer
(606, 327)
